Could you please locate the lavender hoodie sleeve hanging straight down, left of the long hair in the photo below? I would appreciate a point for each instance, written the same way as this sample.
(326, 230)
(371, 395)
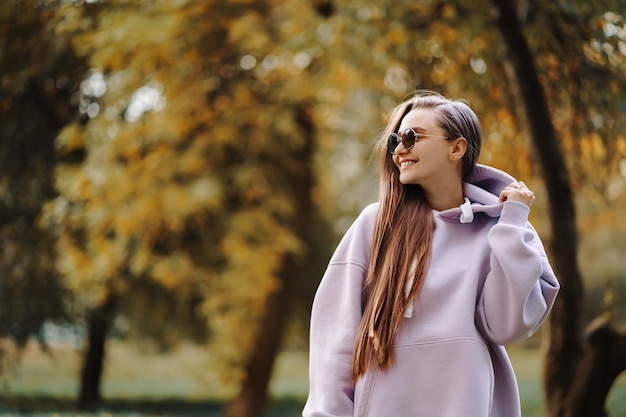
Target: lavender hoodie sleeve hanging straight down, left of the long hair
(335, 318)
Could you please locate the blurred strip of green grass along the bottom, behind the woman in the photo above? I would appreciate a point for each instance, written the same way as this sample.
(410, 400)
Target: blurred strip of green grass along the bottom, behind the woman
(141, 383)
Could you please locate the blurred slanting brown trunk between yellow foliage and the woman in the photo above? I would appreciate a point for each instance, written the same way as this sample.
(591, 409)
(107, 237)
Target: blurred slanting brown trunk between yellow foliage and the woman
(252, 398)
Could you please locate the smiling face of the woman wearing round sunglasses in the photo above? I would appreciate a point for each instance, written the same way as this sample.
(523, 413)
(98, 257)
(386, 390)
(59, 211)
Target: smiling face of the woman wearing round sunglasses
(429, 158)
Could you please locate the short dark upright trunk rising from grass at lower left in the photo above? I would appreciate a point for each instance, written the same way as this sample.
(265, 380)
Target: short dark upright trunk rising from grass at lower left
(98, 325)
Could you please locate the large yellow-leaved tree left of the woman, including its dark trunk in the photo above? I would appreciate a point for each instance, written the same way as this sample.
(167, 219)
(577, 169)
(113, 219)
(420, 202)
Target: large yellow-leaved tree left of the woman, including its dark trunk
(219, 163)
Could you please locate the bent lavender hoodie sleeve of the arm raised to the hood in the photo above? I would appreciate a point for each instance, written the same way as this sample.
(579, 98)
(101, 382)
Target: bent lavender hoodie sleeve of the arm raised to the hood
(521, 287)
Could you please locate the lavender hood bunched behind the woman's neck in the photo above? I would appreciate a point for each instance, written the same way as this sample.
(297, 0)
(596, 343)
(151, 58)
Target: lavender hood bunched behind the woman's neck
(481, 190)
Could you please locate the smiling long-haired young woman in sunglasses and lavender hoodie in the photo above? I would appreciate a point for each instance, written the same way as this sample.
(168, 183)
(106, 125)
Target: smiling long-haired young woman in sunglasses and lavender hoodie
(429, 284)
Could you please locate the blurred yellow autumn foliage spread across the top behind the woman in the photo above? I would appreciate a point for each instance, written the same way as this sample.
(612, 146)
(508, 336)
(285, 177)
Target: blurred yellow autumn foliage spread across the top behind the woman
(194, 194)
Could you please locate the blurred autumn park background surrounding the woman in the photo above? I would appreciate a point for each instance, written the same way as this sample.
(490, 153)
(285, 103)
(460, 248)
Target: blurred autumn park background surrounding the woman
(175, 174)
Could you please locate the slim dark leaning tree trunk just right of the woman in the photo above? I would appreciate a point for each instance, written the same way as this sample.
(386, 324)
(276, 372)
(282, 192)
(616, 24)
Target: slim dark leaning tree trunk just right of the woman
(564, 338)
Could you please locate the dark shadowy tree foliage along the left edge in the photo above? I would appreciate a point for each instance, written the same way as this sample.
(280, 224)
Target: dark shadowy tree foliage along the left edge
(38, 77)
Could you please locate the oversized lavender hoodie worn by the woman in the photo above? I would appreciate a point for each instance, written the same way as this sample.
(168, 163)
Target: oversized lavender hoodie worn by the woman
(489, 284)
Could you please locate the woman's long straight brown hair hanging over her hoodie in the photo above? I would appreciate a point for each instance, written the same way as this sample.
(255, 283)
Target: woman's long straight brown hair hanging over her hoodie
(404, 227)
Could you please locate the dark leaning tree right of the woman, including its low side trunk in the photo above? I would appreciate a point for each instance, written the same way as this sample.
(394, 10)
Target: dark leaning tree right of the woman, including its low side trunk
(571, 382)
